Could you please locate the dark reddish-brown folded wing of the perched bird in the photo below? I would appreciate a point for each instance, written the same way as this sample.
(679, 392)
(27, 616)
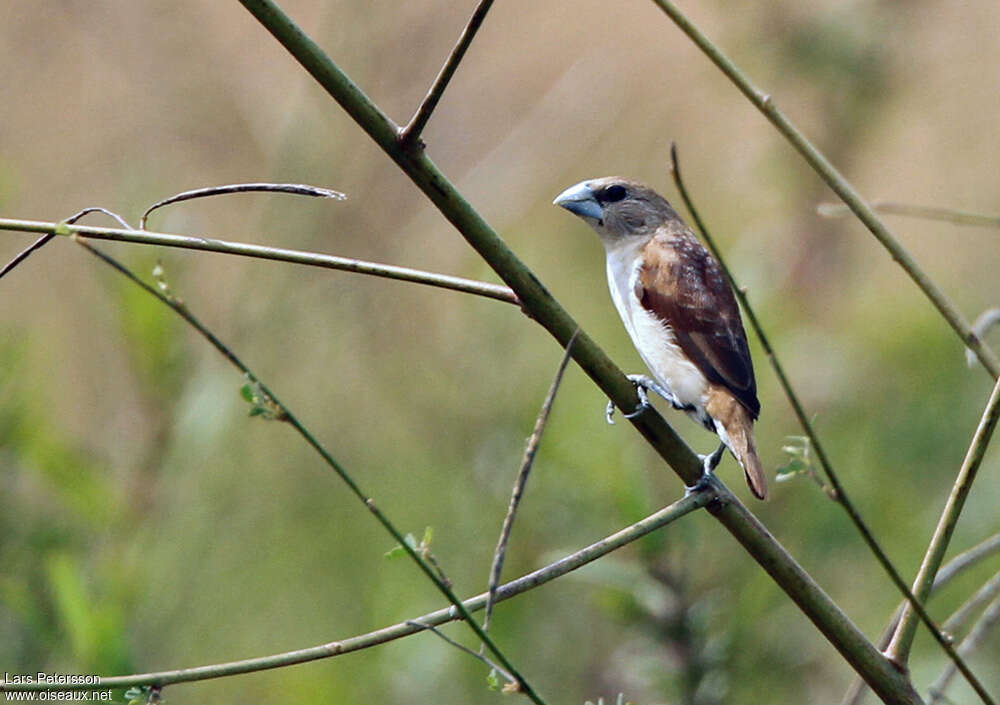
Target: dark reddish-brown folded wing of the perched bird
(682, 284)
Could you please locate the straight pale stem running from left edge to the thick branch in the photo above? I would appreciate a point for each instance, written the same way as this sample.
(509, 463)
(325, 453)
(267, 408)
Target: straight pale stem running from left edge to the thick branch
(312, 259)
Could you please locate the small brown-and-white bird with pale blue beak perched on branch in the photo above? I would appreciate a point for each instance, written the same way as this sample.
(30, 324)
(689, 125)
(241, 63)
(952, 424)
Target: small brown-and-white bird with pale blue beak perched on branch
(681, 313)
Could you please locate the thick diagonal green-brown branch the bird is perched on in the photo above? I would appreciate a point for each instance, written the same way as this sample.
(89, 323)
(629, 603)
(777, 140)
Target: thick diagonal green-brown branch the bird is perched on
(891, 684)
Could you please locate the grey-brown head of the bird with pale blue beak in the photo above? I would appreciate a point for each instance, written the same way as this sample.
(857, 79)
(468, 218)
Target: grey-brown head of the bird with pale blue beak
(617, 208)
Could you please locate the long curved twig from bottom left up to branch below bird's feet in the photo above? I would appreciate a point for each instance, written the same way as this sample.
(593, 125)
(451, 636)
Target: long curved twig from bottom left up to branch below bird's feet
(532, 580)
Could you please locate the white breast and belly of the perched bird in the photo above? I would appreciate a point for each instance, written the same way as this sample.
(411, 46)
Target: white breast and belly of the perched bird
(651, 336)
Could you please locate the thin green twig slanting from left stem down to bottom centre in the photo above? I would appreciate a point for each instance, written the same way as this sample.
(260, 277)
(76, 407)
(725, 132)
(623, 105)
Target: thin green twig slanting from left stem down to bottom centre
(287, 416)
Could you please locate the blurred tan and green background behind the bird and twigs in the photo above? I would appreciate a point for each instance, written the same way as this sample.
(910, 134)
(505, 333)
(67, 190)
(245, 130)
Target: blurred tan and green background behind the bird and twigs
(148, 524)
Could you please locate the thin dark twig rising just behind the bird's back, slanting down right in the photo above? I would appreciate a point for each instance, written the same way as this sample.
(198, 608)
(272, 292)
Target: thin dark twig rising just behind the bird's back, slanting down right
(838, 494)
